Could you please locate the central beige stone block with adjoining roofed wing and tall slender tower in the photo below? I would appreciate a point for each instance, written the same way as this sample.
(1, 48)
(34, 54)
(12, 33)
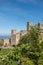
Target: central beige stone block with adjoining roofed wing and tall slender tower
(15, 37)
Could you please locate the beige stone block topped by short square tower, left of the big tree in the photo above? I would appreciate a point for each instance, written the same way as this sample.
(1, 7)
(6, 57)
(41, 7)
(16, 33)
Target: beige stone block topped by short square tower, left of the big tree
(15, 37)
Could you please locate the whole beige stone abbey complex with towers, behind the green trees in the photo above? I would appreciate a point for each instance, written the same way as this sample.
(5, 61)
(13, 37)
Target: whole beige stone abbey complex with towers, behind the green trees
(15, 36)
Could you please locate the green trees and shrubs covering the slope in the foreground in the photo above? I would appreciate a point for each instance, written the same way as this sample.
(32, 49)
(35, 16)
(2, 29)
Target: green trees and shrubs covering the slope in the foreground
(28, 52)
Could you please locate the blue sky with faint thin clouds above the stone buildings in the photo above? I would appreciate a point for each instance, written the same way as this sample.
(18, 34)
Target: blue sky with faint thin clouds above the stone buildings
(15, 13)
